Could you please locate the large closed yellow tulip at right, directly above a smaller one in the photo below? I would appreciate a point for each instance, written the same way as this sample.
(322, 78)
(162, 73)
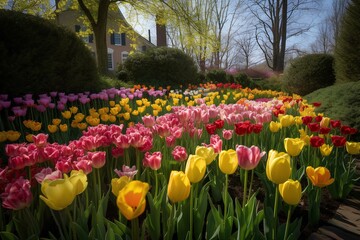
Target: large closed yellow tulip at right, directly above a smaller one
(278, 167)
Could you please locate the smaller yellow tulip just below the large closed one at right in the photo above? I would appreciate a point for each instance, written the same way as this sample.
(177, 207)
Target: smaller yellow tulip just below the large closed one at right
(290, 191)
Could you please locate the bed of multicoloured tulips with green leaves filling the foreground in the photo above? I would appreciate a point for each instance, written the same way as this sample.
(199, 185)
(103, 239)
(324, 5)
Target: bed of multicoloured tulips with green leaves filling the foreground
(156, 164)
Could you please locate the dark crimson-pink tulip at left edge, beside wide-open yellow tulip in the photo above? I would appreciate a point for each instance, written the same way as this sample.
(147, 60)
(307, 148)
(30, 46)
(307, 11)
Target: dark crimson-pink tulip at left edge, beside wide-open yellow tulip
(17, 194)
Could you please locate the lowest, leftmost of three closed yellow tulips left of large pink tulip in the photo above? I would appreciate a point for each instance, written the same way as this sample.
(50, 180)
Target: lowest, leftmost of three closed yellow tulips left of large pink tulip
(178, 187)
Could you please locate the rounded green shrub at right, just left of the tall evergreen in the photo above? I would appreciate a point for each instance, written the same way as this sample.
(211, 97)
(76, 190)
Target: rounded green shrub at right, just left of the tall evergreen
(309, 73)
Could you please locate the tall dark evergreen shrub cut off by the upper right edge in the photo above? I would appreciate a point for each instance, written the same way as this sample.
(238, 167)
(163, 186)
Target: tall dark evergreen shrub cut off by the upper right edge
(347, 58)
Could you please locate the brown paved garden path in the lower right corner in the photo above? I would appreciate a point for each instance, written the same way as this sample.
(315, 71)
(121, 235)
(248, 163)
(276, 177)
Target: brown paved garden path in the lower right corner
(346, 222)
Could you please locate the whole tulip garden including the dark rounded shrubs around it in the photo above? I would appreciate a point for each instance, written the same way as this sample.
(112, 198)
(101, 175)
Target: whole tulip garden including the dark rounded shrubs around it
(185, 156)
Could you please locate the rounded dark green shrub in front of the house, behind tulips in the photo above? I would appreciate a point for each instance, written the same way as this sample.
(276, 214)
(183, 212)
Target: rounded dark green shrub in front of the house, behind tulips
(161, 67)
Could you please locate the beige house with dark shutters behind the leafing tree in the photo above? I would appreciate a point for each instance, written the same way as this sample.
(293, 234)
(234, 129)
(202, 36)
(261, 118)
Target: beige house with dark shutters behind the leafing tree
(118, 43)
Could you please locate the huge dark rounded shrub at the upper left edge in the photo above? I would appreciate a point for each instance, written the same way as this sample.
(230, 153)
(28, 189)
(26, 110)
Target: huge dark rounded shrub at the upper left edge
(37, 57)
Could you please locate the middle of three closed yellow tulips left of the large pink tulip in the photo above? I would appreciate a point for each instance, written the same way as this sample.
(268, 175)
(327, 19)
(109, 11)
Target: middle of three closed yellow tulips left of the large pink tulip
(195, 168)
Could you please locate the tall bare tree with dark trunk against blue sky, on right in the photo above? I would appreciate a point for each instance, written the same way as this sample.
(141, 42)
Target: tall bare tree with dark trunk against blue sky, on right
(275, 25)
